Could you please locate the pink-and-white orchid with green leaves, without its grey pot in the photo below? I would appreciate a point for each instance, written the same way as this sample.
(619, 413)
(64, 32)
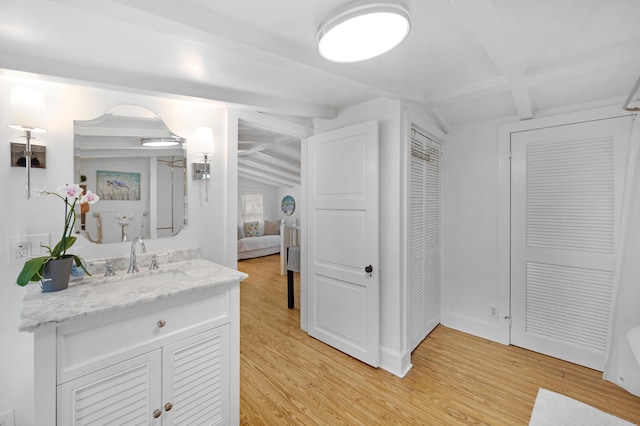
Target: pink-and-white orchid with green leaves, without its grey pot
(71, 194)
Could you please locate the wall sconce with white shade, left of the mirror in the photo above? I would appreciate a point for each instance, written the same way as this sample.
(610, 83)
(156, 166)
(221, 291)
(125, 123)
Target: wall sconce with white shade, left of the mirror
(27, 113)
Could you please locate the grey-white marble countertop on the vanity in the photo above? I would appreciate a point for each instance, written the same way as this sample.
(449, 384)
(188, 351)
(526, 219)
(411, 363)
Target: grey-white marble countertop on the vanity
(97, 294)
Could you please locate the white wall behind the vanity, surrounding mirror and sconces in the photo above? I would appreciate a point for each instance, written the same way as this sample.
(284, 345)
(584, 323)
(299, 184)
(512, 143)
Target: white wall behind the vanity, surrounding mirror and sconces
(65, 102)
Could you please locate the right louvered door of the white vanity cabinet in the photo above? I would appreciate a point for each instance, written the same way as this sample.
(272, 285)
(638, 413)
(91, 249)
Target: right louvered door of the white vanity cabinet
(196, 380)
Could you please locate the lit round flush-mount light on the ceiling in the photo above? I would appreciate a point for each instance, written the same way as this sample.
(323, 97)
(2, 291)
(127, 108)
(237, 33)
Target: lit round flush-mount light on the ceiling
(362, 30)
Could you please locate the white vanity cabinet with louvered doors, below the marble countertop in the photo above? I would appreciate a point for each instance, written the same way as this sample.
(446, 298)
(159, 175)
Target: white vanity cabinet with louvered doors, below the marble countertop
(172, 361)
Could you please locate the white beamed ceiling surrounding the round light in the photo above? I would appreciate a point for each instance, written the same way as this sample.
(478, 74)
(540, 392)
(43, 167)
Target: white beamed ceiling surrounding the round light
(464, 60)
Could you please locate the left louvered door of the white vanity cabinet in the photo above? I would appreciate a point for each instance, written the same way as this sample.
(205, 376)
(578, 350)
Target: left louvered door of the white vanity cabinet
(126, 393)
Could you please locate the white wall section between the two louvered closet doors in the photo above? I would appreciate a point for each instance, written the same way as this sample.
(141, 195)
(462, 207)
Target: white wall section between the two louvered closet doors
(471, 267)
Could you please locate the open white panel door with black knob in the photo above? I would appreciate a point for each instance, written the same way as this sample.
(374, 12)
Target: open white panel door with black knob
(343, 245)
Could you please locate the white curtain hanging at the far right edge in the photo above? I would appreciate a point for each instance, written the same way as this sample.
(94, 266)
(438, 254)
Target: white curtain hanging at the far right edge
(621, 365)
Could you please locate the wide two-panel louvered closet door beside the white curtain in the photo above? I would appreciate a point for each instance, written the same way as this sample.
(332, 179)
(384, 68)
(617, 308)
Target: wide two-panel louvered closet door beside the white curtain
(567, 183)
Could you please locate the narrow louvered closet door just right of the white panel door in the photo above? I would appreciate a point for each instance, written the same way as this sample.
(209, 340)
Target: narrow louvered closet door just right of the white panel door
(424, 239)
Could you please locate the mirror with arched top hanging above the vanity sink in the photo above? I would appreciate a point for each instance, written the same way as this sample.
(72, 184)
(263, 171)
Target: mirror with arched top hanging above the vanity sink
(137, 166)
